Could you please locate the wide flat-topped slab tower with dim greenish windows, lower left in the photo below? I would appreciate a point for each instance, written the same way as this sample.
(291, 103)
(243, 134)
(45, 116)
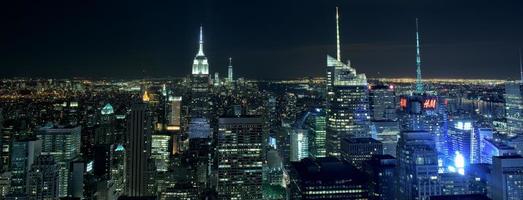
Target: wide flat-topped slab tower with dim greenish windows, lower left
(63, 143)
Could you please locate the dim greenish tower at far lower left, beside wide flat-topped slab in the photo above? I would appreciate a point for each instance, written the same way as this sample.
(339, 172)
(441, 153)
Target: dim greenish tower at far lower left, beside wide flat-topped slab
(23, 155)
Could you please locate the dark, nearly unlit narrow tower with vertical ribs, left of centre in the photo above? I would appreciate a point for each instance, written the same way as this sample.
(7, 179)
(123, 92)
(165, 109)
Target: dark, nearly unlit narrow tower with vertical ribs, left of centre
(138, 150)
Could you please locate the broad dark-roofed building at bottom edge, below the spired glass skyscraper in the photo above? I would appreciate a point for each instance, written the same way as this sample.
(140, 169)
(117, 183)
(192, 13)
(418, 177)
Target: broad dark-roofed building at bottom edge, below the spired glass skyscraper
(326, 178)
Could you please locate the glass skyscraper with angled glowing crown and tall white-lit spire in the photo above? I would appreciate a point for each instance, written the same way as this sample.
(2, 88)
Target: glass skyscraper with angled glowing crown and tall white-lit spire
(347, 101)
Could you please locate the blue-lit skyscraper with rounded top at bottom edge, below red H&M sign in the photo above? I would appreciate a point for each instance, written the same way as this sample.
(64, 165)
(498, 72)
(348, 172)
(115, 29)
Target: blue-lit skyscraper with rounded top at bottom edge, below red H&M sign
(417, 166)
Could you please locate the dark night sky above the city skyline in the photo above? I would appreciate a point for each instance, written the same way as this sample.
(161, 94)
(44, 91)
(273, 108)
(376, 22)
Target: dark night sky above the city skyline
(270, 39)
